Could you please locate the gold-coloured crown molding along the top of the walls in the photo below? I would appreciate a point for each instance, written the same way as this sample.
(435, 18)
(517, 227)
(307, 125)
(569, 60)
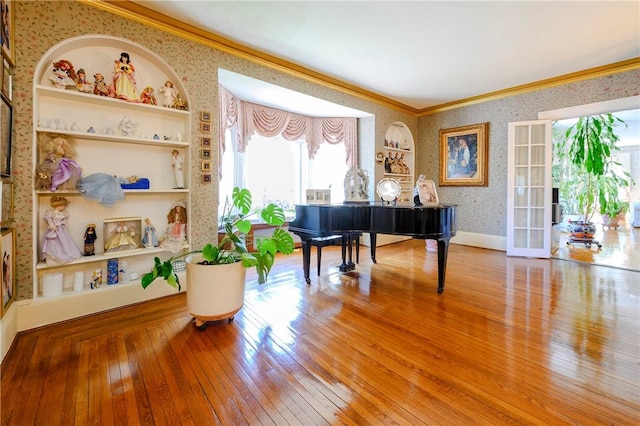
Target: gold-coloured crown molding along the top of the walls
(145, 16)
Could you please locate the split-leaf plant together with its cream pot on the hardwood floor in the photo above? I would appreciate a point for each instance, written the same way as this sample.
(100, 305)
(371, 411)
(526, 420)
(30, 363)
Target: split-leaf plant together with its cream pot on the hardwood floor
(216, 273)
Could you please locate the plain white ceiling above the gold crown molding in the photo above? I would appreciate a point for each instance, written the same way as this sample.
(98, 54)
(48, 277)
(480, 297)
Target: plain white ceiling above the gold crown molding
(426, 53)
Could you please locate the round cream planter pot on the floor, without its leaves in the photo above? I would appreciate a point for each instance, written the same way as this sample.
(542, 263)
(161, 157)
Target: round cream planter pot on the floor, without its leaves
(214, 292)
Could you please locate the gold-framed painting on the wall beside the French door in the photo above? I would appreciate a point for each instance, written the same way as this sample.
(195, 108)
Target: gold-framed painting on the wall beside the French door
(464, 155)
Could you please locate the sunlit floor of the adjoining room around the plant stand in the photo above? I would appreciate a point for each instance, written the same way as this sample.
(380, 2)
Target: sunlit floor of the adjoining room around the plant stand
(620, 247)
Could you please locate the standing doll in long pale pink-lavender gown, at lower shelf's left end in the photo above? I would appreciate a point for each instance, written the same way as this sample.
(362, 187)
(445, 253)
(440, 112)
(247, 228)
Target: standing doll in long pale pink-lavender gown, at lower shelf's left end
(57, 245)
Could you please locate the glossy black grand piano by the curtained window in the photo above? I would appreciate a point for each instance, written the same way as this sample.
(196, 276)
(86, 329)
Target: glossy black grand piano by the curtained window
(424, 222)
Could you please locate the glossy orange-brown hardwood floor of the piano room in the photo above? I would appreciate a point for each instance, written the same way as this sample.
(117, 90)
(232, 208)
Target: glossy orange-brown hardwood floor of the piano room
(510, 341)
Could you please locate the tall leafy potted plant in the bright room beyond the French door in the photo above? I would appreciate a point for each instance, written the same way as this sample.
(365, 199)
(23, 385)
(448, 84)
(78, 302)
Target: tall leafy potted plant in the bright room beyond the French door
(586, 150)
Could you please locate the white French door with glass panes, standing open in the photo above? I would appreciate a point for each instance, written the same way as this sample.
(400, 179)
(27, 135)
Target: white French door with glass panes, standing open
(529, 189)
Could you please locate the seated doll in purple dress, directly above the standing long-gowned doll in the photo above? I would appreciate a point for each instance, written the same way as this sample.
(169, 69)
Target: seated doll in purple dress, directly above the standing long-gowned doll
(58, 170)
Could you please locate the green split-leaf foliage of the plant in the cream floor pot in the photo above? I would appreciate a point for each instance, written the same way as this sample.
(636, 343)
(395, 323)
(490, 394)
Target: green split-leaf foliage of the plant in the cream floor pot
(232, 247)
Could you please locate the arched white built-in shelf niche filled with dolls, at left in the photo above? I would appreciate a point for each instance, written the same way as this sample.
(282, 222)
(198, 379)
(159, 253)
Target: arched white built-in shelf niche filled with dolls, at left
(108, 156)
